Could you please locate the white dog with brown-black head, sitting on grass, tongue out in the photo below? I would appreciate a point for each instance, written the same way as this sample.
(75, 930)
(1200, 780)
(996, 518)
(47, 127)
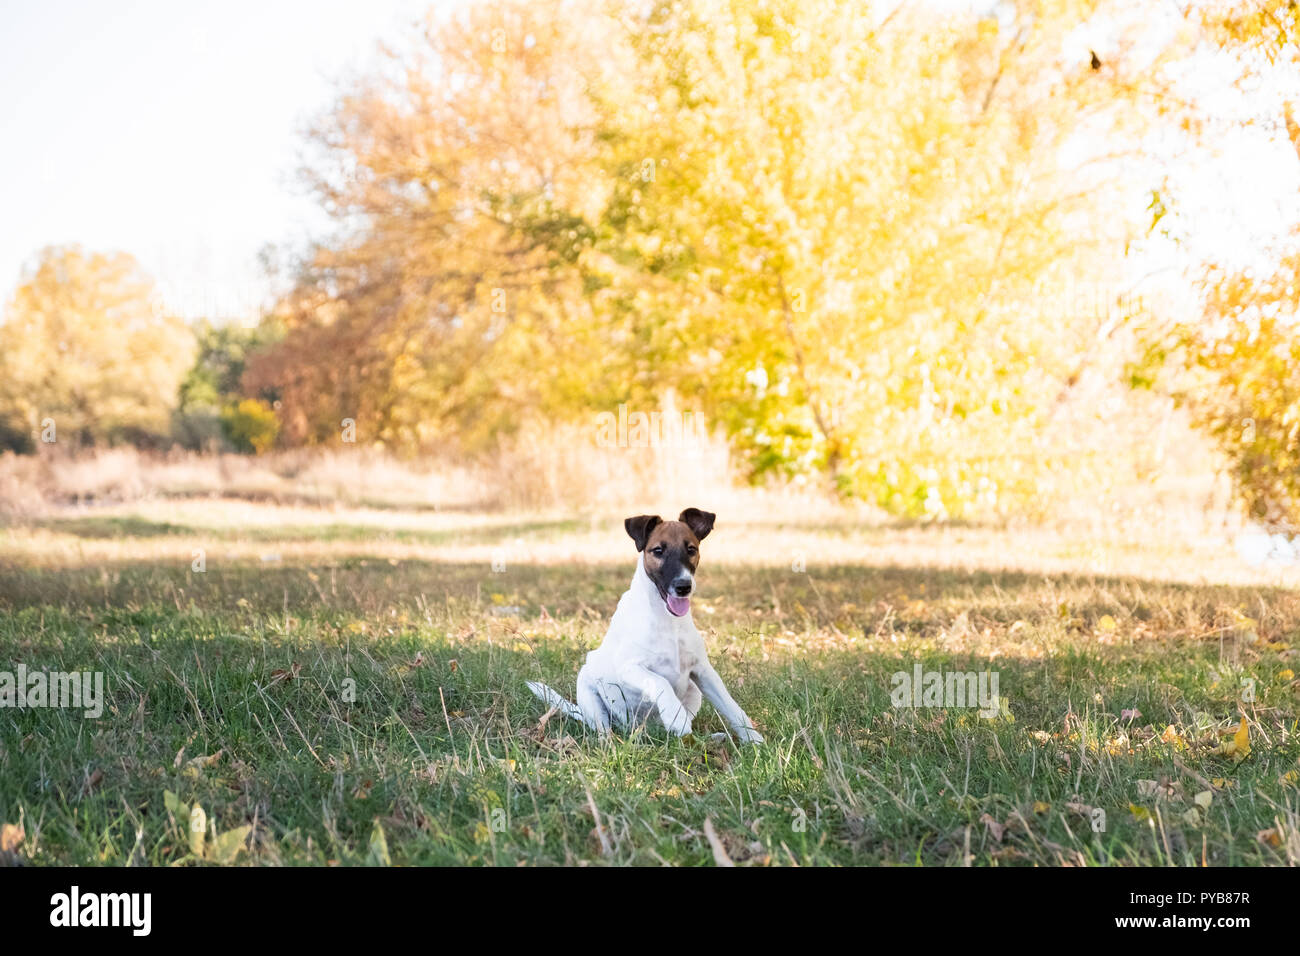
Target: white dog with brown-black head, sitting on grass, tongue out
(653, 661)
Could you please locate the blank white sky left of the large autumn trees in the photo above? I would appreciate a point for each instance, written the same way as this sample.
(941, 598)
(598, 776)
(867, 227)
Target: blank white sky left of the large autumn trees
(171, 131)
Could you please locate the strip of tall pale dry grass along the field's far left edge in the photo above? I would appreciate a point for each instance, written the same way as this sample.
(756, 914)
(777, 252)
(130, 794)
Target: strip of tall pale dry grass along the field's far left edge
(552, 468)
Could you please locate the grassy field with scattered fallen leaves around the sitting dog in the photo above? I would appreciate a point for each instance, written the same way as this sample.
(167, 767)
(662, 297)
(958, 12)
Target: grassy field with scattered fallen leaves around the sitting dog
(348, 687)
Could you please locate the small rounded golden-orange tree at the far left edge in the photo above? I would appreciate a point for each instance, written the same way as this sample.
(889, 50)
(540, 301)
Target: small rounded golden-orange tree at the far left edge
(86, 344)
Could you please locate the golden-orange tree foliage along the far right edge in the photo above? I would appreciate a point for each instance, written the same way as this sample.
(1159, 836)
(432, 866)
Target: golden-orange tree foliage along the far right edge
(1237, 365)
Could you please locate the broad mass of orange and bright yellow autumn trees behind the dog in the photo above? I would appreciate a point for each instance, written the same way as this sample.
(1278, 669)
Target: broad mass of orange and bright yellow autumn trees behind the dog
(852, 236)
